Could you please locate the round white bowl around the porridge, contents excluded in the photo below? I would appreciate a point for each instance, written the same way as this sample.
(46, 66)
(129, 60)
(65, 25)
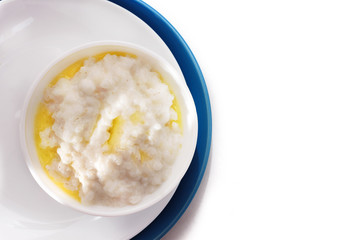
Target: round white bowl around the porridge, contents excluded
(188, 113)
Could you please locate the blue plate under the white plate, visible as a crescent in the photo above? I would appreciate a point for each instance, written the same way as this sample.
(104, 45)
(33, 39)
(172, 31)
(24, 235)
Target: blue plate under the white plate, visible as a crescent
(196, 83)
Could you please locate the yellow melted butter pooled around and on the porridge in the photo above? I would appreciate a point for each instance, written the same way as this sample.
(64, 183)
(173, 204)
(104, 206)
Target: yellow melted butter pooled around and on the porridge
(43, 120)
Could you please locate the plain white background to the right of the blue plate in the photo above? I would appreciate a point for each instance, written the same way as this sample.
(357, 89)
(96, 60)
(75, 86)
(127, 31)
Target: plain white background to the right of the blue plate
(284, 83)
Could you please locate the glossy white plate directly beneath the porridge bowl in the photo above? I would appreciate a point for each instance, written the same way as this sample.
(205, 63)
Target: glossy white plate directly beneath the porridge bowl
(32, 34)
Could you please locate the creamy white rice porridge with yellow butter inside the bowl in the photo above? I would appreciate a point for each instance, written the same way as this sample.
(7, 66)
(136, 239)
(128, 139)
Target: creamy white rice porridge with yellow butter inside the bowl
(108, 130)
